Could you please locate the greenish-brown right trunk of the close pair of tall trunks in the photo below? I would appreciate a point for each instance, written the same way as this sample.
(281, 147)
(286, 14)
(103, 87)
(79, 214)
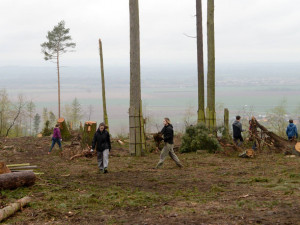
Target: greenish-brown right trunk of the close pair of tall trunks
(211, 112)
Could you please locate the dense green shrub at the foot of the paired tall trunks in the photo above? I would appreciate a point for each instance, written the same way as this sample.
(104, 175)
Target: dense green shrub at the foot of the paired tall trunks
(198, 137)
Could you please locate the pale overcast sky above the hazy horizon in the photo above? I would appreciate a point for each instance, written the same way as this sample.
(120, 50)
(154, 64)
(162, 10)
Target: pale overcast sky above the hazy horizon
(246, 31)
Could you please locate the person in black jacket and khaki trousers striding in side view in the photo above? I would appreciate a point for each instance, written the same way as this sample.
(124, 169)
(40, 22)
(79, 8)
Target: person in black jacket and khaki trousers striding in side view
(168, 135)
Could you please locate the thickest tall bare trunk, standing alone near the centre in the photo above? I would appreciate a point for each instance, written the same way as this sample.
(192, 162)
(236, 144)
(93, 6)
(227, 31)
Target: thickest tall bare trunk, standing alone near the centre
(135, 82)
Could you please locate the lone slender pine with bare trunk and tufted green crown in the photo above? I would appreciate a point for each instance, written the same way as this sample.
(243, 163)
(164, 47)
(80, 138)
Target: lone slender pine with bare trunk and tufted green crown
(58, 43)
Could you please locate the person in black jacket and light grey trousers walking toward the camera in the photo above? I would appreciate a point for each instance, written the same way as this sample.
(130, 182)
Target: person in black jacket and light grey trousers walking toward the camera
(102, 143)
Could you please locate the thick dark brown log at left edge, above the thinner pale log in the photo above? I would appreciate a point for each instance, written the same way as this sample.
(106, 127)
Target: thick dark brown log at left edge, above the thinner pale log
(17, 179)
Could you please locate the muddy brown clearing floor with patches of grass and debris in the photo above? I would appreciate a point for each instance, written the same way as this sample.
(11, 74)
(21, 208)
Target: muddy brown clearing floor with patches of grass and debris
(210, 189)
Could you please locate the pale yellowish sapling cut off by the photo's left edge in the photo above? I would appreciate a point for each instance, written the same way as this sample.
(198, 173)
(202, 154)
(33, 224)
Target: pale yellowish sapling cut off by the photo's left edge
(4, 111)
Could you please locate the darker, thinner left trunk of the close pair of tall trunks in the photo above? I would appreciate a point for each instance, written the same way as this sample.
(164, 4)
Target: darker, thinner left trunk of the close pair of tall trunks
(201, 107)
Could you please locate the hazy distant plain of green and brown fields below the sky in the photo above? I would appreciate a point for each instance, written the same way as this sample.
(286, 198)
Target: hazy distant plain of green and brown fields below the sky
(168, 93)
